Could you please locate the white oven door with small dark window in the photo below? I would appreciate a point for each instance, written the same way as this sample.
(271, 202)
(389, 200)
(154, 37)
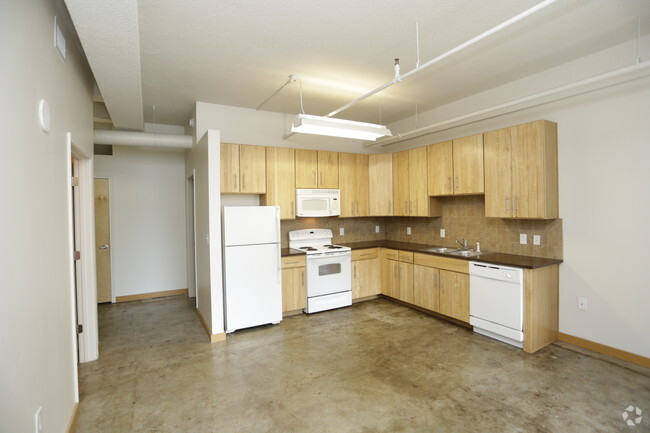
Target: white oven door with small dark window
(329, 273)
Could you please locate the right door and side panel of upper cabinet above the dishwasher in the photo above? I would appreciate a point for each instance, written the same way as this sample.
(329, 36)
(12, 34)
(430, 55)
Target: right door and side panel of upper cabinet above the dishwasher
(534, 171)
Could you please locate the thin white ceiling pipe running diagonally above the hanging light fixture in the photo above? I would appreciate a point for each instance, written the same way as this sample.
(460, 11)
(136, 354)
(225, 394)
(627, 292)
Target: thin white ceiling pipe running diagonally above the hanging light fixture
(443, 56)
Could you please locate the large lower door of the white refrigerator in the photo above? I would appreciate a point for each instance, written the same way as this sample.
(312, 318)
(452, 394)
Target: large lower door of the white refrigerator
(253, 286)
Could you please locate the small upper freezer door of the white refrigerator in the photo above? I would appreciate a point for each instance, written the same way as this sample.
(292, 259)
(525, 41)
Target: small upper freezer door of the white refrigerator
(249, 225)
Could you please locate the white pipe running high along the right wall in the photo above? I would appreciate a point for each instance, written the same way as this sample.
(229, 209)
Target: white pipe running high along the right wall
(618, 76)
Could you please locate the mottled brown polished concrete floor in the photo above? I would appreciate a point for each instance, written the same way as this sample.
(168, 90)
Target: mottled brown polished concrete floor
(374, 367)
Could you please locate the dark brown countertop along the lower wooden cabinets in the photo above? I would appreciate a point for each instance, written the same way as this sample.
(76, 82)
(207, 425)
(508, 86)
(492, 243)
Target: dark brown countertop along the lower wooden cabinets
(494, 258)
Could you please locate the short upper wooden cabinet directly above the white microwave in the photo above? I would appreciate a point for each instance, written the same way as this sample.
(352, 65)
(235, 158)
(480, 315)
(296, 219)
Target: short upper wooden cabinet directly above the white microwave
(317, 169)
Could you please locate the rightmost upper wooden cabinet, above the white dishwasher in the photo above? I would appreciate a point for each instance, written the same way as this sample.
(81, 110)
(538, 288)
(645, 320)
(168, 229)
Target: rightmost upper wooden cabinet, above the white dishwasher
(521, 171)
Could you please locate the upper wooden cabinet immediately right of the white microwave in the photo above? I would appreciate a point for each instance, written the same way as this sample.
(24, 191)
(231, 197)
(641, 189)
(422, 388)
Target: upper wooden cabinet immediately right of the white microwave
(353, 170)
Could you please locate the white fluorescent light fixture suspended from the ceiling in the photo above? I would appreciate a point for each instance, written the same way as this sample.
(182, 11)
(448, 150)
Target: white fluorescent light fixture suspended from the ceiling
(308, 124)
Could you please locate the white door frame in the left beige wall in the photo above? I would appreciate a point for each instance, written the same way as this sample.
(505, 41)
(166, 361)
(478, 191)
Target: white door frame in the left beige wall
(84, 304)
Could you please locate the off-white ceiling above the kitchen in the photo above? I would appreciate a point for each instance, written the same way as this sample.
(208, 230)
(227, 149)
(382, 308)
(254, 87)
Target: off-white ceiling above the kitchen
(239, 52)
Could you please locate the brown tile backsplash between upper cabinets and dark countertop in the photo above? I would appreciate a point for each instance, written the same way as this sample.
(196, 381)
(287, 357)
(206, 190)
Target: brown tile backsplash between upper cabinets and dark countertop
(462, 218)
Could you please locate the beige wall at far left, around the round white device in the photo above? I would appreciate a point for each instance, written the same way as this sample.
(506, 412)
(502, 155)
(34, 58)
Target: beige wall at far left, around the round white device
(38, 361)
